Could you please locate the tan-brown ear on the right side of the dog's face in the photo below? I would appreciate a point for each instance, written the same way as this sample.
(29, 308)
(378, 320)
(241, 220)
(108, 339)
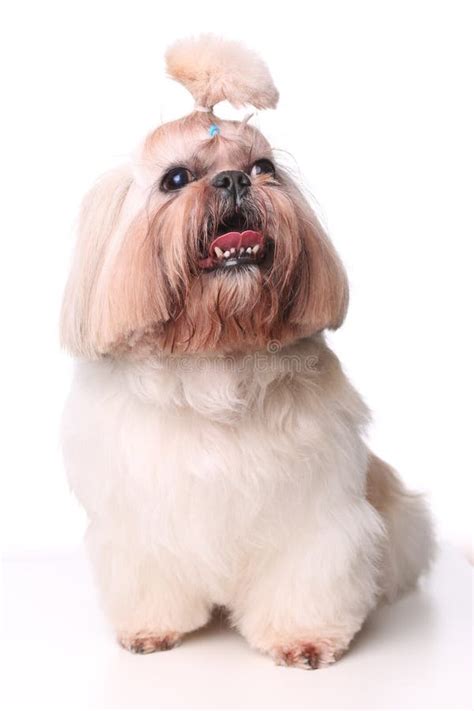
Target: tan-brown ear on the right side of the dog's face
(322, 294)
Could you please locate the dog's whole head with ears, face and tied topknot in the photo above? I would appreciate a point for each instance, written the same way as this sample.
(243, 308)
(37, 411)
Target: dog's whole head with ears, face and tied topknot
(204, 243)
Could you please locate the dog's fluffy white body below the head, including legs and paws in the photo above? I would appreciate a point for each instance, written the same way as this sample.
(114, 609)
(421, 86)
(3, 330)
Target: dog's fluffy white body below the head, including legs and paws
(241, 482)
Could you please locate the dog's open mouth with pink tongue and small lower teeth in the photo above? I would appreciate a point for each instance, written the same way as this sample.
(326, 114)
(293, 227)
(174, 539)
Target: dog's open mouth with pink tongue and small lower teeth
(234, 248)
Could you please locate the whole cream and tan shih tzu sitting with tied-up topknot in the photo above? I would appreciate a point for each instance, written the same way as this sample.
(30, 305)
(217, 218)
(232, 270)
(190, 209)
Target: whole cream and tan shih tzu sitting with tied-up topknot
(211, 434)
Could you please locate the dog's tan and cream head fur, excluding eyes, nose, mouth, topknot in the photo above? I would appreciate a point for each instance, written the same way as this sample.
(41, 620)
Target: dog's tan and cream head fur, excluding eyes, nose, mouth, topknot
(136, 286)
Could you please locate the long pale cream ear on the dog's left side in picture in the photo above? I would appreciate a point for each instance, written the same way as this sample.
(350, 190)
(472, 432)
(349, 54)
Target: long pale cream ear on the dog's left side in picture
(82, 310)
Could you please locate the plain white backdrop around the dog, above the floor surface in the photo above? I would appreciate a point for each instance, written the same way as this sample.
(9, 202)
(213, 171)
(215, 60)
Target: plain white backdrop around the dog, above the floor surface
(376, 110)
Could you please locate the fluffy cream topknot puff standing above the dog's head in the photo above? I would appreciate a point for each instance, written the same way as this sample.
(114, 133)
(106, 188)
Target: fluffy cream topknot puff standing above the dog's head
(214, 69)
